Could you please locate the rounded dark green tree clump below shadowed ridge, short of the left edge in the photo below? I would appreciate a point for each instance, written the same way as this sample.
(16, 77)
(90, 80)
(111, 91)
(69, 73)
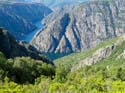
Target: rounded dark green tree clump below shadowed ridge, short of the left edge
(27, 70)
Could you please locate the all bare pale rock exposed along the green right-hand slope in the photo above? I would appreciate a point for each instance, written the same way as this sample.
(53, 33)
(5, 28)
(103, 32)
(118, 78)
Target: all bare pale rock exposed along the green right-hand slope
(100, 54)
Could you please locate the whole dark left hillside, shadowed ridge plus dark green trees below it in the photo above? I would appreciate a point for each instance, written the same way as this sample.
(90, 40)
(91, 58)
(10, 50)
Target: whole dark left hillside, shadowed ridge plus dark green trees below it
(20, 62)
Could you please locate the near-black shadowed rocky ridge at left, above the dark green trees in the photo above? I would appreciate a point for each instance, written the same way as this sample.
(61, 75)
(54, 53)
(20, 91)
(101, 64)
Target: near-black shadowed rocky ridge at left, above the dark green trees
(11, 48)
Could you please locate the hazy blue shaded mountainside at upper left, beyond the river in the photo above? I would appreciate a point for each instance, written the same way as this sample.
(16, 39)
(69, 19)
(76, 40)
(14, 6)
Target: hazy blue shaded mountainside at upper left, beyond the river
(19, 18)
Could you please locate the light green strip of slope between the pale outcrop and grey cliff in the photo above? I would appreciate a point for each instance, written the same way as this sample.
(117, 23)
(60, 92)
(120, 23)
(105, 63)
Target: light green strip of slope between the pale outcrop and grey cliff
(76, 57)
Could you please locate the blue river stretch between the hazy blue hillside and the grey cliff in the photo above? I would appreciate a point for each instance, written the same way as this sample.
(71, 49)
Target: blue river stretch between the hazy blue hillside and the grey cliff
(32, 34)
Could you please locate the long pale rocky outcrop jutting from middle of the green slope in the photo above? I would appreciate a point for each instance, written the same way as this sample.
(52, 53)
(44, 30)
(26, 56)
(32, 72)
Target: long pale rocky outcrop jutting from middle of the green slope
(99, 55)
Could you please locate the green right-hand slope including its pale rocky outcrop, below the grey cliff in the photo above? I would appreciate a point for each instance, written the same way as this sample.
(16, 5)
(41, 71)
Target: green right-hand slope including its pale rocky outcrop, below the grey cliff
(106, 53)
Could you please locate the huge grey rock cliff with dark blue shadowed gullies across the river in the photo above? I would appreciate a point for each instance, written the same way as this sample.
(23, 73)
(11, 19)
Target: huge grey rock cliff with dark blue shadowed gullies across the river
(81, 27)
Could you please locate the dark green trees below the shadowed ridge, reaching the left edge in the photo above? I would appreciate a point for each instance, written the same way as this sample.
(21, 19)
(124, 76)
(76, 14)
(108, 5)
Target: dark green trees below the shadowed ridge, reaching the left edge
(24, 69)
